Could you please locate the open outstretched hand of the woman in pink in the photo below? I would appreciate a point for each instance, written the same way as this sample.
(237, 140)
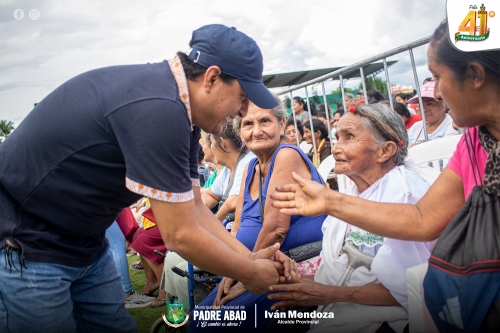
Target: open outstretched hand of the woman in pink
(304, 198)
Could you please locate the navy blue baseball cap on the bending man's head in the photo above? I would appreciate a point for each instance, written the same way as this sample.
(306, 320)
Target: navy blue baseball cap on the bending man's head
(237, 55)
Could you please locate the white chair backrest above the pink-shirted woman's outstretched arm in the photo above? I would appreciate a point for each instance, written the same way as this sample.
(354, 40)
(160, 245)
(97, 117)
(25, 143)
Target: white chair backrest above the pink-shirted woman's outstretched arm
(435, 153)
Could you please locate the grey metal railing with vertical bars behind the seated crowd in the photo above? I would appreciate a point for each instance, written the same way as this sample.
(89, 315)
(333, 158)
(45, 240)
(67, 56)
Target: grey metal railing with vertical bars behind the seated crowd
(359, 65)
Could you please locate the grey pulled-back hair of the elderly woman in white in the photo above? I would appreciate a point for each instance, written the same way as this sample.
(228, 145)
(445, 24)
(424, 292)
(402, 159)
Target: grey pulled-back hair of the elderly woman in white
(385, 125)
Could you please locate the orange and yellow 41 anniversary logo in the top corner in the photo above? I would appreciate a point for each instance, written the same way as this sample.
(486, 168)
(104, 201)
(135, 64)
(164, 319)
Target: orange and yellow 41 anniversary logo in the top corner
(473, 32)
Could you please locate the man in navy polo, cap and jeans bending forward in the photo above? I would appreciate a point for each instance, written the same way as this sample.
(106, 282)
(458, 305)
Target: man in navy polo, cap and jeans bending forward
(97, 144)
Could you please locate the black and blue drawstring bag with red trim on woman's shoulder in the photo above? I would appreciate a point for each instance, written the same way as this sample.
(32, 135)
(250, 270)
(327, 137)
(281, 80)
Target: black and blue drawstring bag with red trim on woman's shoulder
(462, 284)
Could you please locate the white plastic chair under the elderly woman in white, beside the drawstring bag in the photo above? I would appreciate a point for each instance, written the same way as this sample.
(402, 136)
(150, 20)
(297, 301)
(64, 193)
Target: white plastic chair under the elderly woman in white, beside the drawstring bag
(436, 154)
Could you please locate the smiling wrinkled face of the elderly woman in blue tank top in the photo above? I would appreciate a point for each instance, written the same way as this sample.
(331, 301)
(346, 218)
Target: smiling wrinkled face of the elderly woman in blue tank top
(260, 129)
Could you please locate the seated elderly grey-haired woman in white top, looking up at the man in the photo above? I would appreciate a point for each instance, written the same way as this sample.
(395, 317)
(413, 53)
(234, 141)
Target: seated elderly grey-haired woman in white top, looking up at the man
(371, 150)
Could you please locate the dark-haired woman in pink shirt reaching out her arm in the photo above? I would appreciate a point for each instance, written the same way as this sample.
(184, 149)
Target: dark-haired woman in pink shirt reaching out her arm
(469, 84)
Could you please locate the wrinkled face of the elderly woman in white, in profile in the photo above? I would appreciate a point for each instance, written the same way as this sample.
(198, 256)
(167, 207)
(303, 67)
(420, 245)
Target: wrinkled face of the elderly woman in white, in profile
(354, 152)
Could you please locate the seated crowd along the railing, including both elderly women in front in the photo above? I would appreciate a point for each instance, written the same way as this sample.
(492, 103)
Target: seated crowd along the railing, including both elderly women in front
(261, 151)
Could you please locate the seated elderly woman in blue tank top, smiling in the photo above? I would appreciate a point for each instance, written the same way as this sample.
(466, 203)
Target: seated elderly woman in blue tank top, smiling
(261, 130)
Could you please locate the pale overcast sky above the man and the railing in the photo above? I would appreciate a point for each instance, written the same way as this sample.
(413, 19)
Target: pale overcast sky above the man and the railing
(71, 37)
